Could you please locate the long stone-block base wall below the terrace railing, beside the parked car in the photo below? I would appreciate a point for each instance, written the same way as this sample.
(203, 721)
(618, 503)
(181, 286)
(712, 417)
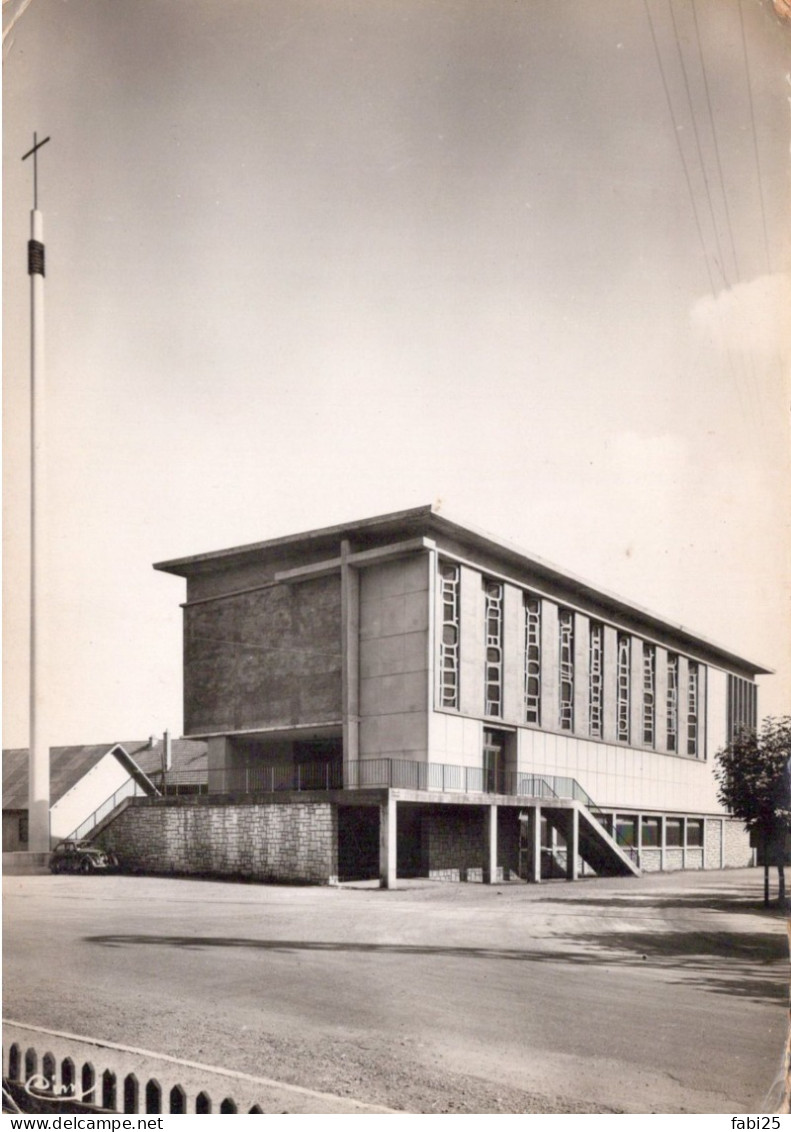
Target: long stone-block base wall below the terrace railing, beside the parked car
(294, 844)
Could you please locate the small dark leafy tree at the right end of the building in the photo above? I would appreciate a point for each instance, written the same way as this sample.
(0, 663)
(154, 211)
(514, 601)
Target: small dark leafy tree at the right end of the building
(754, 784)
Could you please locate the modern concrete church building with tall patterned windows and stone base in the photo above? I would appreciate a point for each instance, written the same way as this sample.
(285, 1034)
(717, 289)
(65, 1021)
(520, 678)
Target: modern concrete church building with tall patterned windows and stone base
(408, 697)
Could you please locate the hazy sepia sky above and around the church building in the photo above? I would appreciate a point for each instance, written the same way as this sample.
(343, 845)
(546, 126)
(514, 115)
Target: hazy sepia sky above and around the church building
(312, 261)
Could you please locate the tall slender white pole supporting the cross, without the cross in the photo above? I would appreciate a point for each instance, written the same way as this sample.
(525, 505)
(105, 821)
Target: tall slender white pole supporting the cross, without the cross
(39, 770)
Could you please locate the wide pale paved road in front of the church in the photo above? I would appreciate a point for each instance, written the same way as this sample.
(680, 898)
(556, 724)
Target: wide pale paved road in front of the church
(663, 994)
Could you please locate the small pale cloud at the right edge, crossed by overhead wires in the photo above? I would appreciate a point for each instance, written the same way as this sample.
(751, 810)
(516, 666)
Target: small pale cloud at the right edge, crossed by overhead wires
(752, 318)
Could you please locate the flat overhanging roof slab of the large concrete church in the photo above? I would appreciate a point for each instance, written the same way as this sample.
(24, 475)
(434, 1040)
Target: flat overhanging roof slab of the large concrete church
(428, 521)
